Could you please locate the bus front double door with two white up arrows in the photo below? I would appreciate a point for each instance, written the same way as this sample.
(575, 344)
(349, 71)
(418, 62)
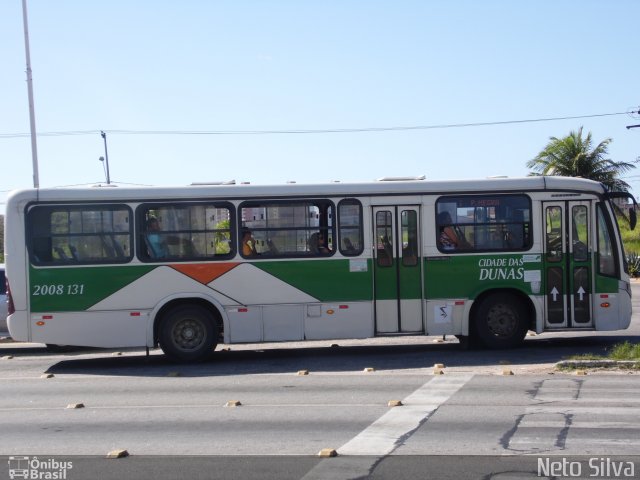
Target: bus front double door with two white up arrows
(568, 260)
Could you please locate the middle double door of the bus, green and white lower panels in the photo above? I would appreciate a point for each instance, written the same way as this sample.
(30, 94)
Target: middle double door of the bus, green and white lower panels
(397, 269)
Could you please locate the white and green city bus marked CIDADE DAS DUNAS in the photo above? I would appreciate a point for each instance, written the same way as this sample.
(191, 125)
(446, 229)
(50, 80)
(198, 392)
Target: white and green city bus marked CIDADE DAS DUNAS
(189, 267)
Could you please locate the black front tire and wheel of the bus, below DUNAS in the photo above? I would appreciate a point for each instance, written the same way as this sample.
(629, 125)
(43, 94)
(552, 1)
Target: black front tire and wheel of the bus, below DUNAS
(501, 321)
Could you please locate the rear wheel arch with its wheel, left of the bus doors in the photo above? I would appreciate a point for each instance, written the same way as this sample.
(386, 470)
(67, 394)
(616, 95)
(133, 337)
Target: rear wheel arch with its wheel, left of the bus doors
(188, 329)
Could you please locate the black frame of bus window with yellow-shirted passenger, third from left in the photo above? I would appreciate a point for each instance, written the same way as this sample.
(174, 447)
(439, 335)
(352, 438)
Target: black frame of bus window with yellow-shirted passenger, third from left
(266, 203)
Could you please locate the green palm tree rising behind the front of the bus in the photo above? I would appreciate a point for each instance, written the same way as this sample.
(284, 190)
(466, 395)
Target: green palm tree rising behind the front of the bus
(573, 156)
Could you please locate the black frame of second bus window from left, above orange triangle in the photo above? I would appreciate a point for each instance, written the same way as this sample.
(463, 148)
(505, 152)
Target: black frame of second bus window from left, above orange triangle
(141, 231)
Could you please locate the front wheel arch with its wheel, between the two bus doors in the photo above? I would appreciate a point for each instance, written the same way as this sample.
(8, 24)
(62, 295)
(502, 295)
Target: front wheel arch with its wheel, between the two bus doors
(501, 318)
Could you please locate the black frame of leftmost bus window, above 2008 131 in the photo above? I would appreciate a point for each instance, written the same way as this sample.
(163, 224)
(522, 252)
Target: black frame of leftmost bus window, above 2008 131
(80, 206)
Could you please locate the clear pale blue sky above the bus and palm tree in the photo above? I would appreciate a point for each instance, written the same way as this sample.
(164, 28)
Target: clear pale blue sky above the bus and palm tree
(241, 70)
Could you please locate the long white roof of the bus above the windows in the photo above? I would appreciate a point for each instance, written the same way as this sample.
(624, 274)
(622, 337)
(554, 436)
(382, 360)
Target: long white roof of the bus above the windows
(338, 189)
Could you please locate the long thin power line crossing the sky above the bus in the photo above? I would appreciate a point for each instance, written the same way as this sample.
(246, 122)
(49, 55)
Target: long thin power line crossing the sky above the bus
(310, 131)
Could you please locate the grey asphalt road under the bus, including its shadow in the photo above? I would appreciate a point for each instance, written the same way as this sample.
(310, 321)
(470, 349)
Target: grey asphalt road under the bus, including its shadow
(470, 422)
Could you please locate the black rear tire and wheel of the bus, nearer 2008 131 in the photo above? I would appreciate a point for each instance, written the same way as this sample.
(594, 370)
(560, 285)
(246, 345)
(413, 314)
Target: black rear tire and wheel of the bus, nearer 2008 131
(188, 333)
